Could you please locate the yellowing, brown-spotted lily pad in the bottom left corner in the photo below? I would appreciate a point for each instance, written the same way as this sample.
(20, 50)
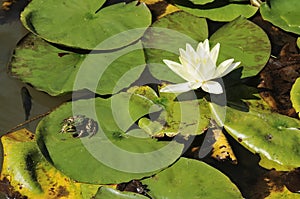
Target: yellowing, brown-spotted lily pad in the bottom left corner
(30, 174)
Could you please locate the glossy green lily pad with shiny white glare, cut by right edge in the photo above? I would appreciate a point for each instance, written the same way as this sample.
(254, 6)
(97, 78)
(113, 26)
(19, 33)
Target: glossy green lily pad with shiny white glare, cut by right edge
(273, 136)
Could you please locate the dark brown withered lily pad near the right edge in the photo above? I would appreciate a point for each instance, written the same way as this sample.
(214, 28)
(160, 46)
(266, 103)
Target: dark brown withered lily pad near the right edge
(277, 79)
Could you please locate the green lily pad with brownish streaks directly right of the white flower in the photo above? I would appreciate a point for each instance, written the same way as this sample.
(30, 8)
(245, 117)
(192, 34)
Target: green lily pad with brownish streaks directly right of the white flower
(244, 41)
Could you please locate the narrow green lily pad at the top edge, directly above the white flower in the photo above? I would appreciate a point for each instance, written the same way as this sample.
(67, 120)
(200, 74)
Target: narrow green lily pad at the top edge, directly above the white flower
(218, 10)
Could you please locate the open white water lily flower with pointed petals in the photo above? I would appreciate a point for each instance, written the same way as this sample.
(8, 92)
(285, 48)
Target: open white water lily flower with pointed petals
(199, 69)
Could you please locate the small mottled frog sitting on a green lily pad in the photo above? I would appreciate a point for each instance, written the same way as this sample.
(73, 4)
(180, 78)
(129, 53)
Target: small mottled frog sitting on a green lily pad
(79, 126)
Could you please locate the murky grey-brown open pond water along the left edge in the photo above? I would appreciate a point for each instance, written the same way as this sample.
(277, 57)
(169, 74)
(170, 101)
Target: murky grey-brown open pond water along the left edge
(11, 107)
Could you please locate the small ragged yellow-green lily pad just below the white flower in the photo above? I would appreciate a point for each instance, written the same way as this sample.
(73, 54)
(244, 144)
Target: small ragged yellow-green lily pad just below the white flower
(179, 116)
